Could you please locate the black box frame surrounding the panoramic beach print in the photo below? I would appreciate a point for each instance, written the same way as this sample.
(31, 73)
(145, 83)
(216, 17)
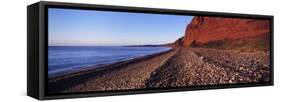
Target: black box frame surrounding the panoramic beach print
(38, 48)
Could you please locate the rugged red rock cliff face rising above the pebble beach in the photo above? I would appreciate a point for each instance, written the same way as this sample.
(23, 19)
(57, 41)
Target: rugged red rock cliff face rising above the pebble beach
(205, 29)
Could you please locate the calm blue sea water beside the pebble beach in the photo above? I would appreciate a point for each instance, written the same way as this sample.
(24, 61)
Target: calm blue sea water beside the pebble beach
(66, 59)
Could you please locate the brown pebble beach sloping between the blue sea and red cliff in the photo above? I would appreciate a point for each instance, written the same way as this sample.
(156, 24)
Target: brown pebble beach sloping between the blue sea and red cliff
(181, 67)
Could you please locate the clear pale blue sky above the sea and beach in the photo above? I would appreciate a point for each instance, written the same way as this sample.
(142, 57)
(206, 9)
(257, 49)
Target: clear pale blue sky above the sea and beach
(73, 27)
